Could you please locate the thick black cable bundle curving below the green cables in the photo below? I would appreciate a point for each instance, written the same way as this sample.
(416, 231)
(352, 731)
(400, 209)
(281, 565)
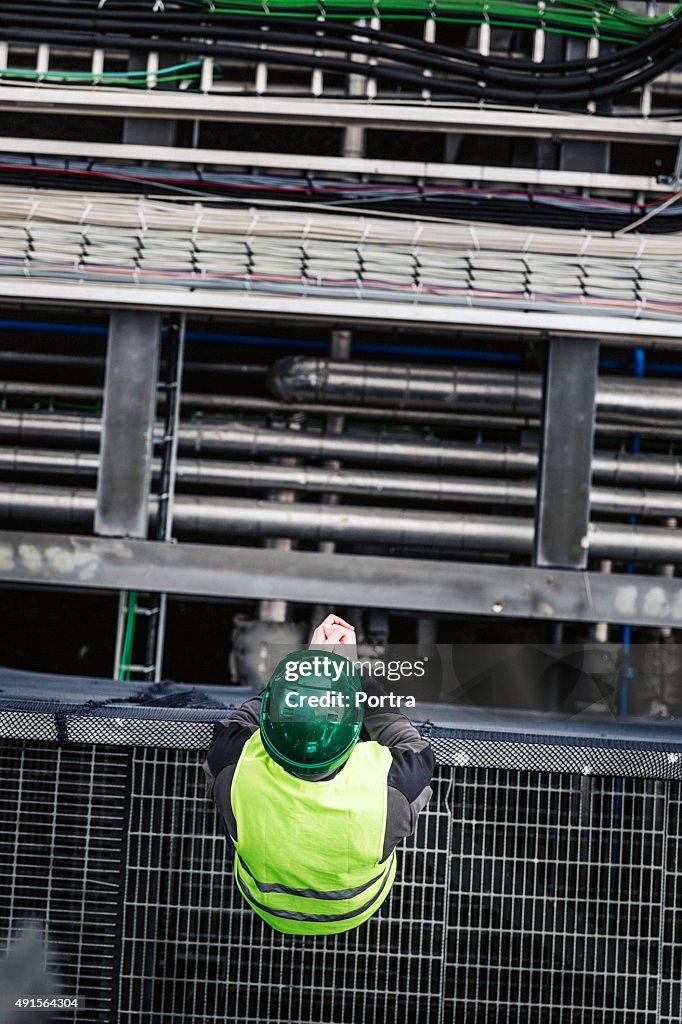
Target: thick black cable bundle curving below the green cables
(394, 60)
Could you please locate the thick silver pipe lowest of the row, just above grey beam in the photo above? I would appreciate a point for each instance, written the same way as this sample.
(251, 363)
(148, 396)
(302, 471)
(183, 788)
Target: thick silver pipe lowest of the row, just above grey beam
(397, 529)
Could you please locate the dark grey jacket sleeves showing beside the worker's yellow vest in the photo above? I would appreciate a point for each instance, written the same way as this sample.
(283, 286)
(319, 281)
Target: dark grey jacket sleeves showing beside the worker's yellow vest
(409, 778)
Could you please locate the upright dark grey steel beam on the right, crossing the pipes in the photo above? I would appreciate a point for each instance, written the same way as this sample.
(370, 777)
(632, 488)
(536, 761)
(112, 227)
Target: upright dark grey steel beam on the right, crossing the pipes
(563, 508)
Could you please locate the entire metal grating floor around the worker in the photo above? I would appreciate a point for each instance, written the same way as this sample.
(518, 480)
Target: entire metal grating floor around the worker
(526, 898)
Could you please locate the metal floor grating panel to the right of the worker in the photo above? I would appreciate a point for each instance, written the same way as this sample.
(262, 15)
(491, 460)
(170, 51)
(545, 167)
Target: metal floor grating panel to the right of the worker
(557, 886)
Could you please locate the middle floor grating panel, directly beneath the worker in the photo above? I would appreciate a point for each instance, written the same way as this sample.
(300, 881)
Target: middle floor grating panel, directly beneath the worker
(208, 957)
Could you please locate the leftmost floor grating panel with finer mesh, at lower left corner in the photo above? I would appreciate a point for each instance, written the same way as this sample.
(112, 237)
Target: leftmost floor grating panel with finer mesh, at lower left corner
(63, 823)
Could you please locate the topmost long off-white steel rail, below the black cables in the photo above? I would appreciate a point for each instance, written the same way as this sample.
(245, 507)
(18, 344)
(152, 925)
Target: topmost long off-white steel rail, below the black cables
(399, 117)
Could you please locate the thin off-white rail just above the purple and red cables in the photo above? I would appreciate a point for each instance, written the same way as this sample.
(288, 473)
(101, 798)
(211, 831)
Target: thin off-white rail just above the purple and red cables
(527, 177)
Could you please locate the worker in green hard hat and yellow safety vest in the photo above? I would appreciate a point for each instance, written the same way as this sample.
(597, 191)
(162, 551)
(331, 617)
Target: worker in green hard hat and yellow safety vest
(316, 790)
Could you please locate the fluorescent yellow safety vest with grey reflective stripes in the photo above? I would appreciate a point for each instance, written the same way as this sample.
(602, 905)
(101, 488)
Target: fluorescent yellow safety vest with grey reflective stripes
(309, 855)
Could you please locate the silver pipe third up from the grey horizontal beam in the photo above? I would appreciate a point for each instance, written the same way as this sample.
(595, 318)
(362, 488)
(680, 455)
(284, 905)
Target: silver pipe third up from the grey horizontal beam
(243, 439)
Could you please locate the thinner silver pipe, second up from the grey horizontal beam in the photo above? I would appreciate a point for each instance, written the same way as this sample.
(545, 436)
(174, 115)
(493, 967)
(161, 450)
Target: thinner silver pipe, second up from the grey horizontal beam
(416, 487)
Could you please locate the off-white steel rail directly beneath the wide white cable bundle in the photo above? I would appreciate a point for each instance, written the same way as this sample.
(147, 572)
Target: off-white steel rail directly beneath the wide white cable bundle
(621, 330)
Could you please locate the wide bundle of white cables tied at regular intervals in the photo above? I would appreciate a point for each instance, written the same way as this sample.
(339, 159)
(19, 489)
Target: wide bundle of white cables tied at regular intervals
(131, 240)
